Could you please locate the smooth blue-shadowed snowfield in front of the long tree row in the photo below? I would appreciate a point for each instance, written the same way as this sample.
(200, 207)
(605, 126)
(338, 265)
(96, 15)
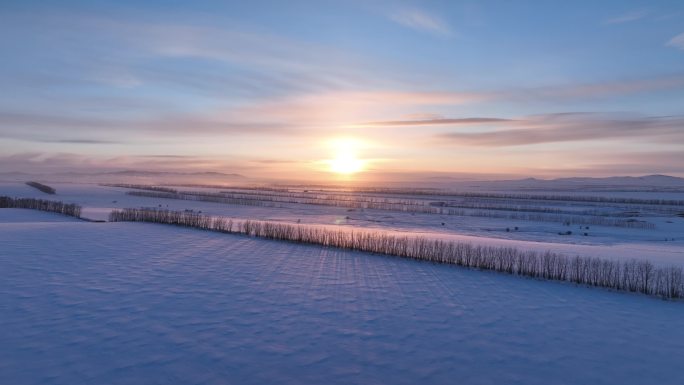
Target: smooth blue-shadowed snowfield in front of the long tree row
(126, 303)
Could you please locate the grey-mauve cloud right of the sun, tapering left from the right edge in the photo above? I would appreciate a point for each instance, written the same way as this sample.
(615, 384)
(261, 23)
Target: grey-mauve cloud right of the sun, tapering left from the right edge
(554, 128)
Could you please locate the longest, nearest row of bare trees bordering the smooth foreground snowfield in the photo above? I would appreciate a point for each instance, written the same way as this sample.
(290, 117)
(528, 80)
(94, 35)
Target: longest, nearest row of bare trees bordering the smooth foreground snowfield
(634, 275)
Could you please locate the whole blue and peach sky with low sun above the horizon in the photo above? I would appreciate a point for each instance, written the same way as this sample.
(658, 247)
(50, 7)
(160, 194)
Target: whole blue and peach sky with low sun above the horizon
(312, 90)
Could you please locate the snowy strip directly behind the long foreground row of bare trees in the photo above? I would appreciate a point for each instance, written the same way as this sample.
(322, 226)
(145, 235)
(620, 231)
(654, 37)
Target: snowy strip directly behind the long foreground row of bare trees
(663, 245)
